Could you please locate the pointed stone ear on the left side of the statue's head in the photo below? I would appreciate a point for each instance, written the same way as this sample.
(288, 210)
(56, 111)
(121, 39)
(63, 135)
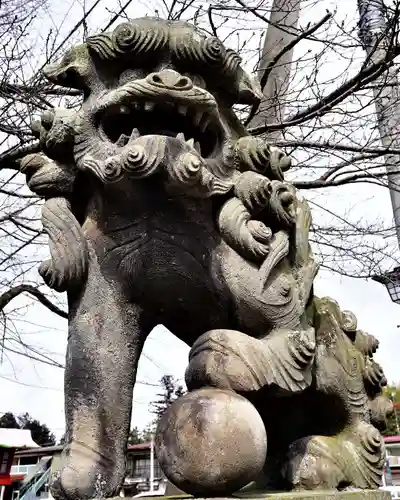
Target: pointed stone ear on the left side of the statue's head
(72, 71)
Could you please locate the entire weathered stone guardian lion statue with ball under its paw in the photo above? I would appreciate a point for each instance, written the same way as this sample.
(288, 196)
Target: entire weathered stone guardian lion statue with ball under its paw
(160, 208)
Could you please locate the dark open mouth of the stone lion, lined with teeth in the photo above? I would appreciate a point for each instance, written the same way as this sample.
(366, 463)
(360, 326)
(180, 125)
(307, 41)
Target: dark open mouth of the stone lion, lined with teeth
(121, 122)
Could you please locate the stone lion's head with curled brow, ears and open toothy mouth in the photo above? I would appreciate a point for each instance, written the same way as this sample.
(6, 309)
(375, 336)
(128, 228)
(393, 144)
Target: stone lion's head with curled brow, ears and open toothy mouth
(156, 89)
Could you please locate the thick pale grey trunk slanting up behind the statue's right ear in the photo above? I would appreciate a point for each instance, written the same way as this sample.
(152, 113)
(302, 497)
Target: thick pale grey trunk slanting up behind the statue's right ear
(280, 32)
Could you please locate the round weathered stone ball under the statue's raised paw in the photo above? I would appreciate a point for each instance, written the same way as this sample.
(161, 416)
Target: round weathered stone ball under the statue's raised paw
(211, 442)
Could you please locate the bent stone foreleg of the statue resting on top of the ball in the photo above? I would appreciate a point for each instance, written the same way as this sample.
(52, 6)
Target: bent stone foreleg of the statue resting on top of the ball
(229, 359)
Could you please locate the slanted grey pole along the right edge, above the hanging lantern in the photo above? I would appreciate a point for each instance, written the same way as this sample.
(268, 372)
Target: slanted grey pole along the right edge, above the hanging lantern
(375, 35)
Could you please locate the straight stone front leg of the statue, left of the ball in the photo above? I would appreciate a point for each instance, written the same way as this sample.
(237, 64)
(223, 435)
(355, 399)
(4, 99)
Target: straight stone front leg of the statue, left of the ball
(105, 340)
